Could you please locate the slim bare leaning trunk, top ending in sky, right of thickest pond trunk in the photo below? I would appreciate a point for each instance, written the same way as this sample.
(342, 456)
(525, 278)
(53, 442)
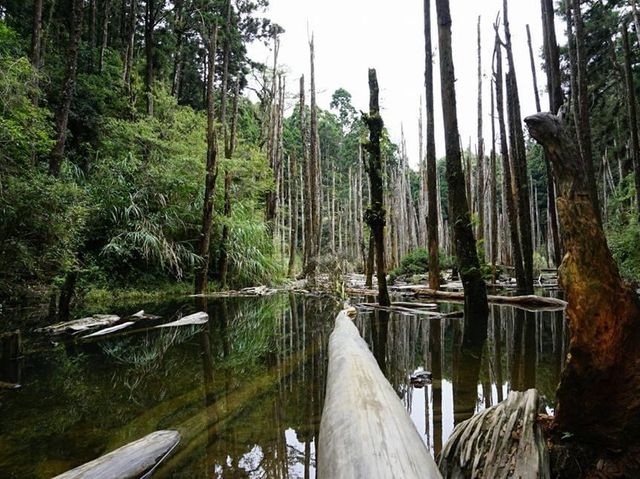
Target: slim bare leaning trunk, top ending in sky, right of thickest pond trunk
(507, 189)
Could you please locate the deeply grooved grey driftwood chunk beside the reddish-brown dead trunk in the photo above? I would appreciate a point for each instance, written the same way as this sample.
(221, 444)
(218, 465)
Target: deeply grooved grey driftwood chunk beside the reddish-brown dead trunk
(504, 441)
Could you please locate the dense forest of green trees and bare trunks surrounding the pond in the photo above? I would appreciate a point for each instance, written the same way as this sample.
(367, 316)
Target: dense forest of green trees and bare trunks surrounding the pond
(142, 148)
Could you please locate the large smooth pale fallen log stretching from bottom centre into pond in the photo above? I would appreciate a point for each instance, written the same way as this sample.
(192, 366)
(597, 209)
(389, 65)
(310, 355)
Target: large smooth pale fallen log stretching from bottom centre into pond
(365, 430)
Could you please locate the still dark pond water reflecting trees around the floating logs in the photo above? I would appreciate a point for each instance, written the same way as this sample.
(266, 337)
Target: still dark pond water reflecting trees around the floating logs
(246, 391)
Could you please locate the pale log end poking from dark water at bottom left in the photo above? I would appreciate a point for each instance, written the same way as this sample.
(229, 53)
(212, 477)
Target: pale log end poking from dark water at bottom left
(135, 460)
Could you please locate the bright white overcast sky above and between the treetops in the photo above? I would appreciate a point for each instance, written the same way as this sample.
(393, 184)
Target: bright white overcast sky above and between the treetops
(354, 35)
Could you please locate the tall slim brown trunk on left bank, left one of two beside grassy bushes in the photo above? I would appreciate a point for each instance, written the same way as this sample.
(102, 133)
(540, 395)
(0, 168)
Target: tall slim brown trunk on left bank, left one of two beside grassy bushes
(202, 272)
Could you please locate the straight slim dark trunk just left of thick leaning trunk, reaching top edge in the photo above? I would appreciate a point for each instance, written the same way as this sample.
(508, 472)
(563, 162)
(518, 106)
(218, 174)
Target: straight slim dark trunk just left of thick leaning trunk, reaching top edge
(432, 191)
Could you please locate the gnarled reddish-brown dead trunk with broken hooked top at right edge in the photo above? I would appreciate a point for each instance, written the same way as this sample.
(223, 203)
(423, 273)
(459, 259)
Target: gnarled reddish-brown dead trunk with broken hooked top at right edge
(597, 399)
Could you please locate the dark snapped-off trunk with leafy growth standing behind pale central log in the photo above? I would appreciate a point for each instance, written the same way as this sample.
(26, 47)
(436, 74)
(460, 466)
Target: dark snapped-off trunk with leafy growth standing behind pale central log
(375, 215)
